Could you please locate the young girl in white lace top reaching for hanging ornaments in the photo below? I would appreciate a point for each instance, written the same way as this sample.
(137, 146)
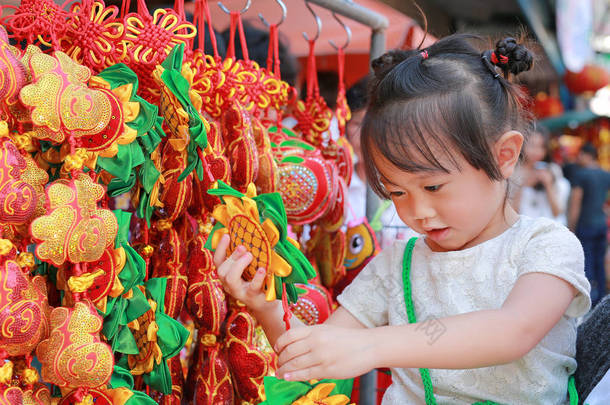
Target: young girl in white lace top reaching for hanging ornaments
(482, 307)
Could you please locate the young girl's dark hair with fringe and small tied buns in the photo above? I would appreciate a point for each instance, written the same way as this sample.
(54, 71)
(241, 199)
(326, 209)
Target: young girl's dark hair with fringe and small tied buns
(445, 98)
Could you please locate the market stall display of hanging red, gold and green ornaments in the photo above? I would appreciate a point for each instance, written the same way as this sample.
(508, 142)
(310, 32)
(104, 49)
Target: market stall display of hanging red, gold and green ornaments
(127, 154)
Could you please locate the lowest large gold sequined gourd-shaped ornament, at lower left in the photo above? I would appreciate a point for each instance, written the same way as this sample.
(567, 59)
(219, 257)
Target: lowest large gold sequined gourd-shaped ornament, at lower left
(74, 356)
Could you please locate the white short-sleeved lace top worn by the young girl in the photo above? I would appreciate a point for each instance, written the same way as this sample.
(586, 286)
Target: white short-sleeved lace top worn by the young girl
(477, 278)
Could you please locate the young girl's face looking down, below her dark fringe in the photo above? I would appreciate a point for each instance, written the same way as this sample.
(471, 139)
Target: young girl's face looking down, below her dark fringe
(454, 210)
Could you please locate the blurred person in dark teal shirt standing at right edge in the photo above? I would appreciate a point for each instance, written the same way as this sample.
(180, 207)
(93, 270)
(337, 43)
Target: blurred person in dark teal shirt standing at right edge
(587, 218)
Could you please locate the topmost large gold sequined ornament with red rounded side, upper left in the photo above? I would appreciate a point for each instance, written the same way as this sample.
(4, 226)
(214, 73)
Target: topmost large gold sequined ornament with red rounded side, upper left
(63, 105)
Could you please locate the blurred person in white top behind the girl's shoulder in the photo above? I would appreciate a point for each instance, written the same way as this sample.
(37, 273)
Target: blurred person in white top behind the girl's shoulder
(542, 191)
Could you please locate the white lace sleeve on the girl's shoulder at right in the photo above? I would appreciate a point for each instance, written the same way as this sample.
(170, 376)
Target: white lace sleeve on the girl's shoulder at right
(553, 249)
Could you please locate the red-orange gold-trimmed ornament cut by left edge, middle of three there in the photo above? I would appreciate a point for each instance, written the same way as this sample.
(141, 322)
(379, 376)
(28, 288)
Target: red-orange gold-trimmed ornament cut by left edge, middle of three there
(18, 199)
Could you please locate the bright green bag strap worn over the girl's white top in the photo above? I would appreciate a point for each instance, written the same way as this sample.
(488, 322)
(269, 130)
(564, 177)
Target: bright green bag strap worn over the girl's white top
(424, 372)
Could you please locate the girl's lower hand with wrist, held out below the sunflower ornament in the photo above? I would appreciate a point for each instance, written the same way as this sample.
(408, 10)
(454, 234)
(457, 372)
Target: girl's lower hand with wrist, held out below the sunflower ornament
(324, 351)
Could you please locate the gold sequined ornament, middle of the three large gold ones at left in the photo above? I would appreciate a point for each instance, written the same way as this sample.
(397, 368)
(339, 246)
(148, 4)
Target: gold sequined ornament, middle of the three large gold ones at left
(74, 229)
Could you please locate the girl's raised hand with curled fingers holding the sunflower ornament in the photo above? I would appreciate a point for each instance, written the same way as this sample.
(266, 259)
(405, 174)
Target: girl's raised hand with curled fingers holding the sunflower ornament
(230, 270)
